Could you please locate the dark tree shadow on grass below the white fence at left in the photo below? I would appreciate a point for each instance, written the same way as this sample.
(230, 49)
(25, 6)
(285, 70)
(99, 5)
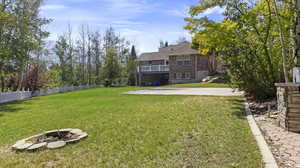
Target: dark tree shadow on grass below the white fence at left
(11, 107)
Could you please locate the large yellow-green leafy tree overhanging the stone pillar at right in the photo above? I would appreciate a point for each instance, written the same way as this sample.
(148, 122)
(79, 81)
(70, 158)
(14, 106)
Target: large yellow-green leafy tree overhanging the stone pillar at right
(248, 42)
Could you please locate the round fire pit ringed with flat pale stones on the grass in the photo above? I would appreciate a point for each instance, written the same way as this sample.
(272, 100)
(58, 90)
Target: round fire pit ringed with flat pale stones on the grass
(50, 140)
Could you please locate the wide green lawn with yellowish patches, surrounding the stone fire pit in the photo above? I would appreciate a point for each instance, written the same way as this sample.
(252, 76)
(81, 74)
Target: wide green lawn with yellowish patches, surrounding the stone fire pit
(131, 131)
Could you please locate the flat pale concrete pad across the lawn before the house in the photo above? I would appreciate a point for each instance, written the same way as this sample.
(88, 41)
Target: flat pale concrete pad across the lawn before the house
(189, 91)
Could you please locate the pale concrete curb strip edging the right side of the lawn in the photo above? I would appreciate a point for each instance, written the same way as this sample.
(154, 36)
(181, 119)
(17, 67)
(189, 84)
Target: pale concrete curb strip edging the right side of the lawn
(268, 157)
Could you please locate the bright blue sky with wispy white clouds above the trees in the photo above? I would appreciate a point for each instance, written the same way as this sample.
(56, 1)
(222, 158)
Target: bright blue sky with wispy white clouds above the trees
(143, 22)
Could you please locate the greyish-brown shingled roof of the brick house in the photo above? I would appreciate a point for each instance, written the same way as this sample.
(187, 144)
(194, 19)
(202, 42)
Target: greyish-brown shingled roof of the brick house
(182, 48)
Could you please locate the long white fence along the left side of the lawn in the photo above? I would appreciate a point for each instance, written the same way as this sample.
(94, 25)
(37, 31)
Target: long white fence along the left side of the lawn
(20, 95)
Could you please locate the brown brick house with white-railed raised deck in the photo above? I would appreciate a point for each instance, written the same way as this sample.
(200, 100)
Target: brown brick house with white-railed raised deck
(174, 64)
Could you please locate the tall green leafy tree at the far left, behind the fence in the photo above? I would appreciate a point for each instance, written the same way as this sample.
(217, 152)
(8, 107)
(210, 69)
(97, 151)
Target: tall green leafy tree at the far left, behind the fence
(21, 36)
